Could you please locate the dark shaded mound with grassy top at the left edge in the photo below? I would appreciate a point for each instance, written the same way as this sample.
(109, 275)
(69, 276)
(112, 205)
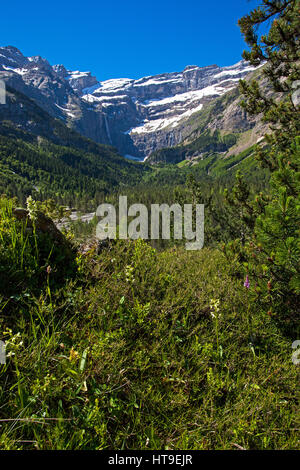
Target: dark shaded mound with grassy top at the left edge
(25, 255)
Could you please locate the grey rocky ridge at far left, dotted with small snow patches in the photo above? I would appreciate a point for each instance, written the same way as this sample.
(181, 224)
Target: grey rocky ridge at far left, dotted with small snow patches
(52, 91)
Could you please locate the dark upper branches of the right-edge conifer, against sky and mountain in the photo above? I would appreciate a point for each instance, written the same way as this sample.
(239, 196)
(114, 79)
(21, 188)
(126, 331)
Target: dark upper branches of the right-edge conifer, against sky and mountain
(280, 48)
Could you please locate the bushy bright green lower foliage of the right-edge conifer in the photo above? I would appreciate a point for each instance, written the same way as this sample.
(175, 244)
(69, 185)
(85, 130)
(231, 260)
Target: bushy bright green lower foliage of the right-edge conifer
(277, 238)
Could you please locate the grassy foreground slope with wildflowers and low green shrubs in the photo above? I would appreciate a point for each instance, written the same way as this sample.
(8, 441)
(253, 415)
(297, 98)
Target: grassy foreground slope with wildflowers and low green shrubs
(121, 351)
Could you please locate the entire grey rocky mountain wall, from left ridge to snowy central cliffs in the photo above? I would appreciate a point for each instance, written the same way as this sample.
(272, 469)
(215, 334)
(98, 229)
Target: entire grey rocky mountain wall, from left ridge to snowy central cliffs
(136, 116)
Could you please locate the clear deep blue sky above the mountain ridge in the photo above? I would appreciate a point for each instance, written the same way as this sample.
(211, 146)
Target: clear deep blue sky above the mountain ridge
(133, 38)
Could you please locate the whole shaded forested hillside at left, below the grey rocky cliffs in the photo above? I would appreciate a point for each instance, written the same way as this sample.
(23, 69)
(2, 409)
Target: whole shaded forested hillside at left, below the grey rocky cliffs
(41, 156)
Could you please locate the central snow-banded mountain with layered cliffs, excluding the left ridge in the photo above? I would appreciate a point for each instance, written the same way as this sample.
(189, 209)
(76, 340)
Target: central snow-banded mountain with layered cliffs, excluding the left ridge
(156, 105)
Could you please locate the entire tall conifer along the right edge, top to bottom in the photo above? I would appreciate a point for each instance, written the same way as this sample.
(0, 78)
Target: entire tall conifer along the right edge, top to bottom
(271, 254)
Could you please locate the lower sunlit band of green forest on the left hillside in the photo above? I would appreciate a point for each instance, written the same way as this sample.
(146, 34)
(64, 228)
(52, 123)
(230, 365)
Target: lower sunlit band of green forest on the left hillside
(68, 175)
